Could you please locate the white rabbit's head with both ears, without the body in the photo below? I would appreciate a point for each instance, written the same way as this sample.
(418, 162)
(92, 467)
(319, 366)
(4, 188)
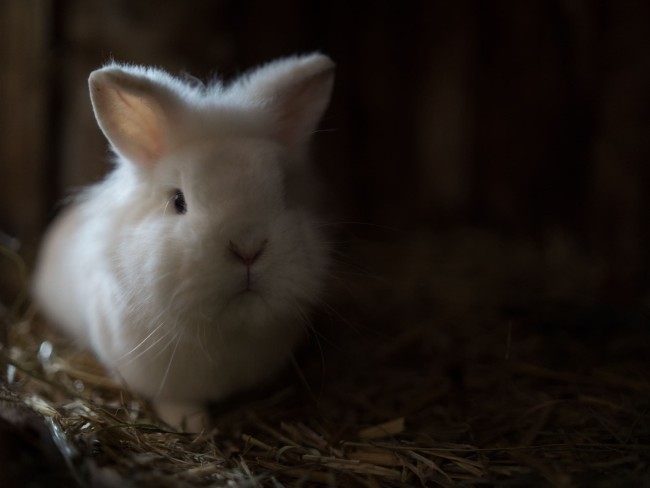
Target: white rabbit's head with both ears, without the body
(208, 197)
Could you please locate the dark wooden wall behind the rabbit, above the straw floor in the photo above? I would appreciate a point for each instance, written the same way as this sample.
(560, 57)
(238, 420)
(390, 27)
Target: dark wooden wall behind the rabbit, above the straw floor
(530, 120)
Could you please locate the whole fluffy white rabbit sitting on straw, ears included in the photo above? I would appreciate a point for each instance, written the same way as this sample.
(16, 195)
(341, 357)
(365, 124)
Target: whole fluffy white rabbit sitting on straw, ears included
(191, 268)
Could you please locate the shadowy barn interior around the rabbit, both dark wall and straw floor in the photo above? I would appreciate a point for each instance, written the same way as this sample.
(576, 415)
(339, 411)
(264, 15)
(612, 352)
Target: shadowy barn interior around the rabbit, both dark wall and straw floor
(484, 169)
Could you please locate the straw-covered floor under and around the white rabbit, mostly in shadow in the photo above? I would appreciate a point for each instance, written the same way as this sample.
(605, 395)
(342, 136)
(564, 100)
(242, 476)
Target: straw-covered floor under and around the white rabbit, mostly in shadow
(456, 361)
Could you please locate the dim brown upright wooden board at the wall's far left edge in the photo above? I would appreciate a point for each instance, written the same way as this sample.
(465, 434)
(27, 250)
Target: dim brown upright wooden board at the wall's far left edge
(25, 117)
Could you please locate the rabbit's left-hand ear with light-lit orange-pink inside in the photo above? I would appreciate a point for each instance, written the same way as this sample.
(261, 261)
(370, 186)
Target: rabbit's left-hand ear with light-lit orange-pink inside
(134, 111)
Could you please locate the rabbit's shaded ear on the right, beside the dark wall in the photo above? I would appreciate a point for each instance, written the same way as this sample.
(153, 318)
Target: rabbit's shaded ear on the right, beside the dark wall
(296, 90)
